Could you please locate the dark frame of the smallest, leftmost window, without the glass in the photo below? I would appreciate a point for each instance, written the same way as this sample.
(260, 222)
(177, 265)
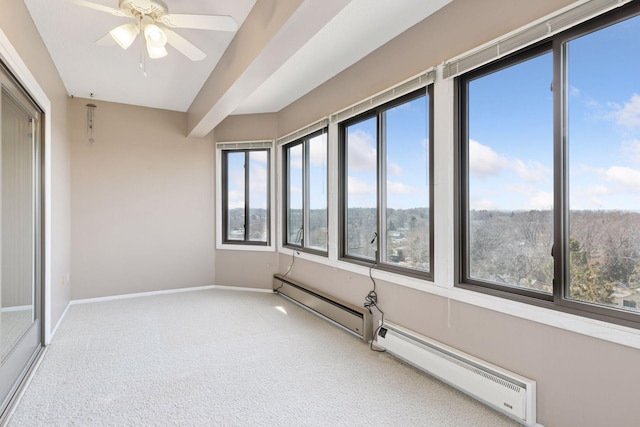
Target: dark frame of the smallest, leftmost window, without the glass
(247, 206)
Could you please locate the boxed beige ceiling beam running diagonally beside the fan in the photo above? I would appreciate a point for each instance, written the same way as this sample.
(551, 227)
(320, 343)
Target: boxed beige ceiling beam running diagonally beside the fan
(273, 31)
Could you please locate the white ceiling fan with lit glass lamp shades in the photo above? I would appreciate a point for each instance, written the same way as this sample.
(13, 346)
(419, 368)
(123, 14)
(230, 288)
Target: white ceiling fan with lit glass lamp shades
(153, 20)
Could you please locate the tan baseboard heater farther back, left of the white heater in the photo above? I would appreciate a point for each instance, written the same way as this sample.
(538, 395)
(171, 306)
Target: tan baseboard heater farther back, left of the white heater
(351, 317)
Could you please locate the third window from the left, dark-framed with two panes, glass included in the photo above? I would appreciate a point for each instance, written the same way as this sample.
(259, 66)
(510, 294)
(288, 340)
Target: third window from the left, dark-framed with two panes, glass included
(386, 214)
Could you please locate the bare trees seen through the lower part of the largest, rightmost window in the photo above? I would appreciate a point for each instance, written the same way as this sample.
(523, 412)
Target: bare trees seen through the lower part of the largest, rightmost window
(514, 248)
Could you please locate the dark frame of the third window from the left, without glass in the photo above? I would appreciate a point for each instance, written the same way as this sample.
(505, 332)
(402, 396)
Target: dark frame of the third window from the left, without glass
(380, 234)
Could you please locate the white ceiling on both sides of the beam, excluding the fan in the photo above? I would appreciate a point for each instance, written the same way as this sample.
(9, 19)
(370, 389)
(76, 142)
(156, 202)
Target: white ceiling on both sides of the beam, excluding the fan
(110, 73)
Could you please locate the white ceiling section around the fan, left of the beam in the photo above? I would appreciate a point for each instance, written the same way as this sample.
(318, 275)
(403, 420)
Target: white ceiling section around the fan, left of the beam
(113, 74)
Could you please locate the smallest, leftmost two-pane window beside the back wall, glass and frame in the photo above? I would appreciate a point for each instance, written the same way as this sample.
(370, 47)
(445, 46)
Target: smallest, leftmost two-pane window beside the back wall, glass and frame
(245, 196)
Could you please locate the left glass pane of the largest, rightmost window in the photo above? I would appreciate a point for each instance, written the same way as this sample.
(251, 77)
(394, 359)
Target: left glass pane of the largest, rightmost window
(508, 160)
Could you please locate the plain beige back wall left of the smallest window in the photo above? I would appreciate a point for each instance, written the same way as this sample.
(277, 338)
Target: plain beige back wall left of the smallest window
(142, 202)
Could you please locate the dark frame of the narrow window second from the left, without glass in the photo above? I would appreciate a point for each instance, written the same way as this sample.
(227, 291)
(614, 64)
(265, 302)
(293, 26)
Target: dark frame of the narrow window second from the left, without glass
(304, 142)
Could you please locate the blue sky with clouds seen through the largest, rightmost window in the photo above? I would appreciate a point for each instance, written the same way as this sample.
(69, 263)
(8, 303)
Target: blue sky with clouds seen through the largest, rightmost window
(511, 133)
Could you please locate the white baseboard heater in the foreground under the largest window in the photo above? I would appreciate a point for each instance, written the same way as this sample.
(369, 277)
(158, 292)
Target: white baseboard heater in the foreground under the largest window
(503, 390)
